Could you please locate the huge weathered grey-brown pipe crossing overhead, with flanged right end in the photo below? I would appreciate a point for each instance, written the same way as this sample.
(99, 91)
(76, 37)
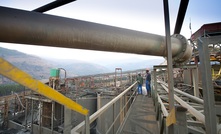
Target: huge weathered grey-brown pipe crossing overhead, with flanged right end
(25, 27)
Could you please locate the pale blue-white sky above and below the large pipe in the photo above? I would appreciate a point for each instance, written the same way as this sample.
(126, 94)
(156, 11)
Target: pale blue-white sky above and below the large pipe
(142, 15)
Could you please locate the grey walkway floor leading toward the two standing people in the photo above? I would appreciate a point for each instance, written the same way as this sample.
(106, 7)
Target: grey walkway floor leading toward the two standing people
(142, 117)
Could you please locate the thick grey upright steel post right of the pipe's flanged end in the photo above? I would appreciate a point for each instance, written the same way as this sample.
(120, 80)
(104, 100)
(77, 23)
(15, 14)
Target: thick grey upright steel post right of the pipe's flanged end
(208, 90)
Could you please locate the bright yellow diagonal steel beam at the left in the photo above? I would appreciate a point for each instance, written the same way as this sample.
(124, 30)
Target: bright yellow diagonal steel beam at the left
(19, 76)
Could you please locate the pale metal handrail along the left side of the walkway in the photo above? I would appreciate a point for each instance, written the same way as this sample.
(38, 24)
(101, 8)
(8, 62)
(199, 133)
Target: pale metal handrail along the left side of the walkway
(125, 103)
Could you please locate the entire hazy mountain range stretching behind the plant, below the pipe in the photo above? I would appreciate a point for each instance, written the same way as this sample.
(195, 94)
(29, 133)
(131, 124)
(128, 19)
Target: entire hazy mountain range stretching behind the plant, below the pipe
(39, 68)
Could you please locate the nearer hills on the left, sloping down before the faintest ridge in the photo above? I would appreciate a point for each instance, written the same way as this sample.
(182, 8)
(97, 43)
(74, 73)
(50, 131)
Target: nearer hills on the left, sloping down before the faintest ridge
(39, 68)
